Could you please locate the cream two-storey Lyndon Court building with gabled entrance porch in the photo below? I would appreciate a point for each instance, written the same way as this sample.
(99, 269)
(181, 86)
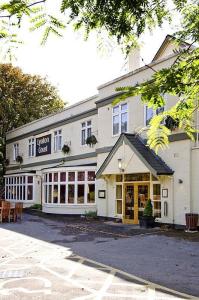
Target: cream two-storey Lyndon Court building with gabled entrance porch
(117, 172)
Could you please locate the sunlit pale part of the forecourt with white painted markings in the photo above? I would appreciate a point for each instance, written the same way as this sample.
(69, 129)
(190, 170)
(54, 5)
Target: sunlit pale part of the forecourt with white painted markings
(34, 269)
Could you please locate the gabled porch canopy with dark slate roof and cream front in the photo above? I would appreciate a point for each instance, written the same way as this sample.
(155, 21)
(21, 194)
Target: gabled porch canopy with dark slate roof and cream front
(135, 157)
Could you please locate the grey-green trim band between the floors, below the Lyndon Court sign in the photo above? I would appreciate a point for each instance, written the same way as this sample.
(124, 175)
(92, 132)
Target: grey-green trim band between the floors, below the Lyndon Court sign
(54, 161)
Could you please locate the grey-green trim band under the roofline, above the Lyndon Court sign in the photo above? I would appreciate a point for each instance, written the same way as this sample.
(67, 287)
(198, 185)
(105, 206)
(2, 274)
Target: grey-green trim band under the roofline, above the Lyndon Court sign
(71, 119)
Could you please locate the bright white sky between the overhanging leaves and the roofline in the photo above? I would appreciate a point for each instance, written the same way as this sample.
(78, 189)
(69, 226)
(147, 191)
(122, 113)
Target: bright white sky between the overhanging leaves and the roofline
(77, 67)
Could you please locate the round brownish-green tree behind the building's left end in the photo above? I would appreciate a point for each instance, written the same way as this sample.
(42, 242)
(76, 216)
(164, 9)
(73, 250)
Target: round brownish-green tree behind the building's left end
(23, 98)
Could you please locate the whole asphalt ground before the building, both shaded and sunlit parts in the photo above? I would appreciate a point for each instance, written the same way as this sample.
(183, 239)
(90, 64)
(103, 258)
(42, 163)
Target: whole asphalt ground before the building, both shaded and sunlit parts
(45, 259)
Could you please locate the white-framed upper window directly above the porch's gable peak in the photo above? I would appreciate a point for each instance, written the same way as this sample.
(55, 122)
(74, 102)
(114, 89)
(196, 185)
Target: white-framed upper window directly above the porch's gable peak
(120, 118)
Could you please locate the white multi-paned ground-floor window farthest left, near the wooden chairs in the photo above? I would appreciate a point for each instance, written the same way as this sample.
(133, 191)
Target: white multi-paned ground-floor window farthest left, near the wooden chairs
(19, 187)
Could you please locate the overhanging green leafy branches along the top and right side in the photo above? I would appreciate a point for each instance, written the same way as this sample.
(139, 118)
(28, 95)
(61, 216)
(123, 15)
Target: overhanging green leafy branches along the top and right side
(126, 20)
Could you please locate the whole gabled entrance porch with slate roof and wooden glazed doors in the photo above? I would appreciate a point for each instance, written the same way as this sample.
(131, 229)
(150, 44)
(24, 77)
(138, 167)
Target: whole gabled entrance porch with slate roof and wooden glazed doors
(133, 174)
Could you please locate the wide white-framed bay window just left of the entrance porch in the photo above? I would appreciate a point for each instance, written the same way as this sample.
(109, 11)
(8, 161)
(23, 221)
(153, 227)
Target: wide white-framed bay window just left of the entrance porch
(69, 187)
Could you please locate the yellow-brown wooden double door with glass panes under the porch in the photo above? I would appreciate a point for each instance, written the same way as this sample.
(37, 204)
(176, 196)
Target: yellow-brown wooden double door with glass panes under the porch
(135, 197)
